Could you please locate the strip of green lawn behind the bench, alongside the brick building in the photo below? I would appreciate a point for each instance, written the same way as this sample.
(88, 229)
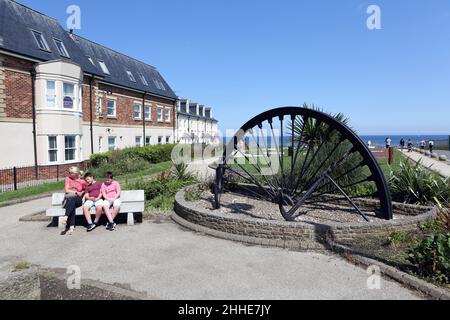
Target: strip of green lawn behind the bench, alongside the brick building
(57, 186)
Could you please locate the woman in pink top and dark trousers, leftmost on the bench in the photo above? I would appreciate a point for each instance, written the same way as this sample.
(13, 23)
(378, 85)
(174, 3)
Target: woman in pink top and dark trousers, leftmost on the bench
(74, 188)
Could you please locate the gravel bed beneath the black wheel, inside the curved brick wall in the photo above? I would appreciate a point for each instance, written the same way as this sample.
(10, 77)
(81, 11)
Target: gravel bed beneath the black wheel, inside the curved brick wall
(238, 205)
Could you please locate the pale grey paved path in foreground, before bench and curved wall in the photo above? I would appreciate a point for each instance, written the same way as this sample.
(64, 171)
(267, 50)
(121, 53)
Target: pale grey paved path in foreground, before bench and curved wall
(169, 262)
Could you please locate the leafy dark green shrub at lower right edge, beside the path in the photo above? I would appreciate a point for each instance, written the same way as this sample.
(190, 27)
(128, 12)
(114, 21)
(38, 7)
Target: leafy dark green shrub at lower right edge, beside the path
(432, 256)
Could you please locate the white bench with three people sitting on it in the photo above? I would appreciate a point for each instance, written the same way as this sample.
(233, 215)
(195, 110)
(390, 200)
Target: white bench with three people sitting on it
(132, 202)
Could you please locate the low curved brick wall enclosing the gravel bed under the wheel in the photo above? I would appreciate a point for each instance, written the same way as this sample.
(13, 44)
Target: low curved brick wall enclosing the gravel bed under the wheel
(298, 235)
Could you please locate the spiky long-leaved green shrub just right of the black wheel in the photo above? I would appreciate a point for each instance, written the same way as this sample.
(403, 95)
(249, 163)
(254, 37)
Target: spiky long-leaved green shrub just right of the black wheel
(414, 184)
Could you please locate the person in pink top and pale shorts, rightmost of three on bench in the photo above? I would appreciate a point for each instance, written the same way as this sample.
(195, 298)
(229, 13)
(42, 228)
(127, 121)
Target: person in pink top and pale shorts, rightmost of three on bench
(111, 194)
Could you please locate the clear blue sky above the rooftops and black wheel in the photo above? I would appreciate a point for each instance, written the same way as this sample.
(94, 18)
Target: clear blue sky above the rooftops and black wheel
(245, 57)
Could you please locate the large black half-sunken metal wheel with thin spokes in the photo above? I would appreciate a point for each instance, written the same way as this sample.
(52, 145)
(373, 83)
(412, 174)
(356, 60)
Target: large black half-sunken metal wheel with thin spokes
(297, 156)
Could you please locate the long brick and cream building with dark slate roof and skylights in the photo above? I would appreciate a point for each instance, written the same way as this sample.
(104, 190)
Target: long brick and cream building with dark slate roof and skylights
(63, 97)
